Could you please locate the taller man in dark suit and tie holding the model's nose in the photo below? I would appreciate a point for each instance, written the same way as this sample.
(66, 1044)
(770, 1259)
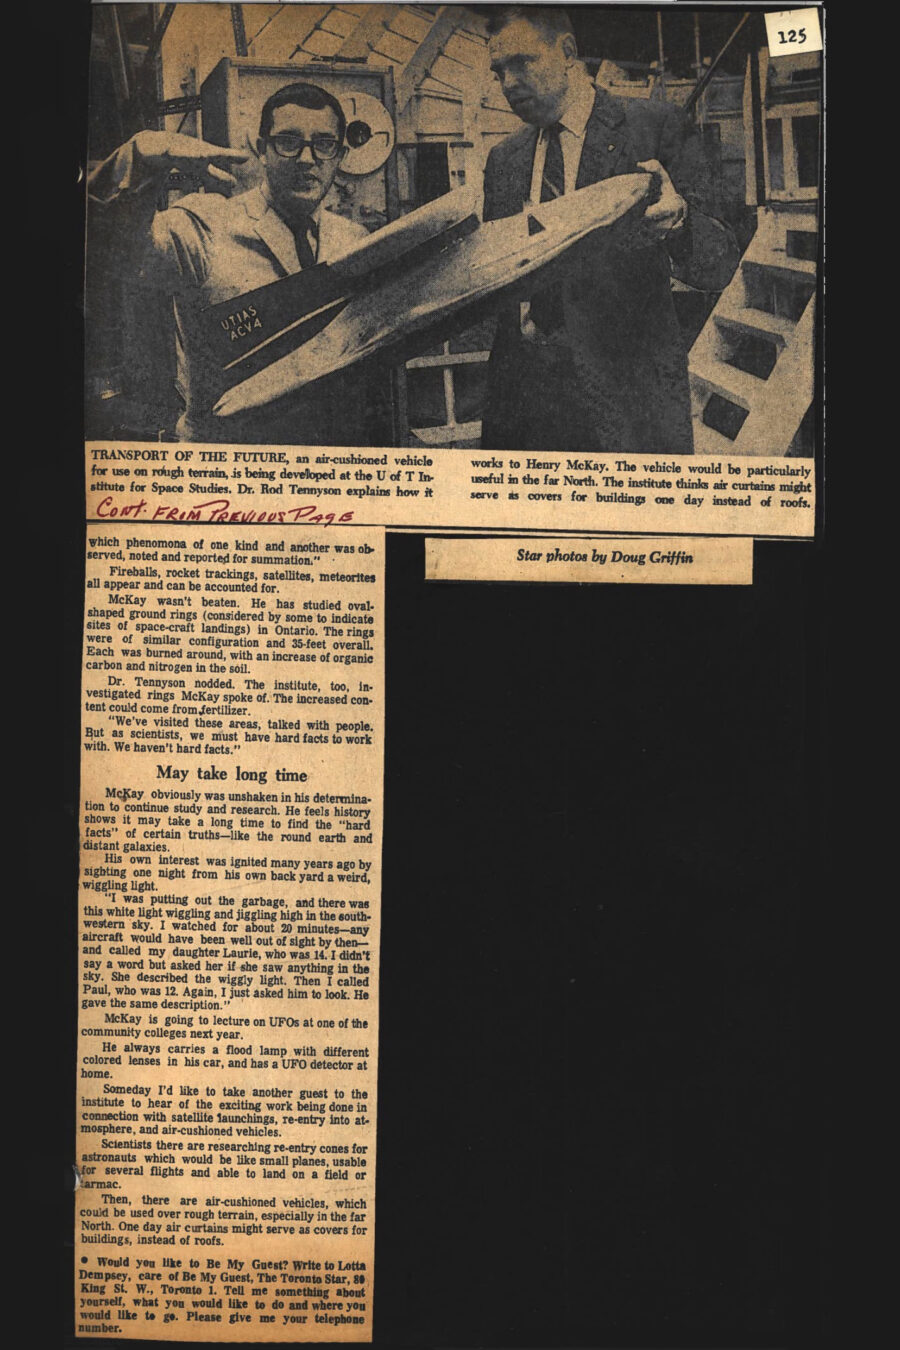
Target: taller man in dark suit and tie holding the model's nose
(596, 362)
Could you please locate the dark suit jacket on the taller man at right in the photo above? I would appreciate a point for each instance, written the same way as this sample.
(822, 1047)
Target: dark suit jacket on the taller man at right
(615, 377)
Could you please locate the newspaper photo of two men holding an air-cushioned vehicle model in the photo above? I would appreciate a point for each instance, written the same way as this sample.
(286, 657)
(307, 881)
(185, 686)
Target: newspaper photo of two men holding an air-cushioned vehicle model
(500, 227)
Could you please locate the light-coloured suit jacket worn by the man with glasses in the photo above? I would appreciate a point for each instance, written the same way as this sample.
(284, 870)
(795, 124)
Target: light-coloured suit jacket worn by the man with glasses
(202, 252)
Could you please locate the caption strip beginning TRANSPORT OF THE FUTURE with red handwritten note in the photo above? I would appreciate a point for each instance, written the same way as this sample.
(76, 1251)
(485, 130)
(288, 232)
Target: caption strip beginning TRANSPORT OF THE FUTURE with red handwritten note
(458, 489)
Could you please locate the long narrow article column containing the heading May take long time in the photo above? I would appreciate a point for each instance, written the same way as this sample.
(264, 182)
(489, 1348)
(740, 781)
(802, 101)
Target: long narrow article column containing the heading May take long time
(230, 917)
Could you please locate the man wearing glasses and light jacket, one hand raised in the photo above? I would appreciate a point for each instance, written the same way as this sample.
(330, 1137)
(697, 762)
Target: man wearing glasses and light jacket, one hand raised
(208, 248)
